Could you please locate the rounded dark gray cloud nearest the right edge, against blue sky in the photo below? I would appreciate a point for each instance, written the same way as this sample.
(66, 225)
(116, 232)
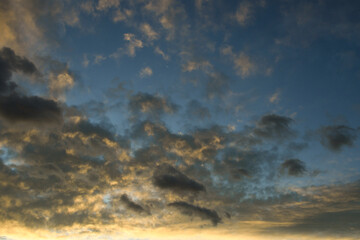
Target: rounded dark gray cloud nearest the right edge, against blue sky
(338, 136)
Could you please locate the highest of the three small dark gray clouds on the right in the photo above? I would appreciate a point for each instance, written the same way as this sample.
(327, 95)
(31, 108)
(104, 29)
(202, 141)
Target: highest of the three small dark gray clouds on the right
(273, 126)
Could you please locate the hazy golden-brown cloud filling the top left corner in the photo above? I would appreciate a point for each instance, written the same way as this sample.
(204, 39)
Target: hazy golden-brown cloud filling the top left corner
(24, 28)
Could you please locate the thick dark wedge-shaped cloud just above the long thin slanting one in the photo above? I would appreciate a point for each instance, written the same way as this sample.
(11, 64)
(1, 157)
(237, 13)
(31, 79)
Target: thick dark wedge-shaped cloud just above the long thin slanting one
(167, 177)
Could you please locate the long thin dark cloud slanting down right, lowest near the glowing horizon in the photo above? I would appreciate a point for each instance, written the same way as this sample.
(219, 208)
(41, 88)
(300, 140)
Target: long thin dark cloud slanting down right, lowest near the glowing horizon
(192, 210)
